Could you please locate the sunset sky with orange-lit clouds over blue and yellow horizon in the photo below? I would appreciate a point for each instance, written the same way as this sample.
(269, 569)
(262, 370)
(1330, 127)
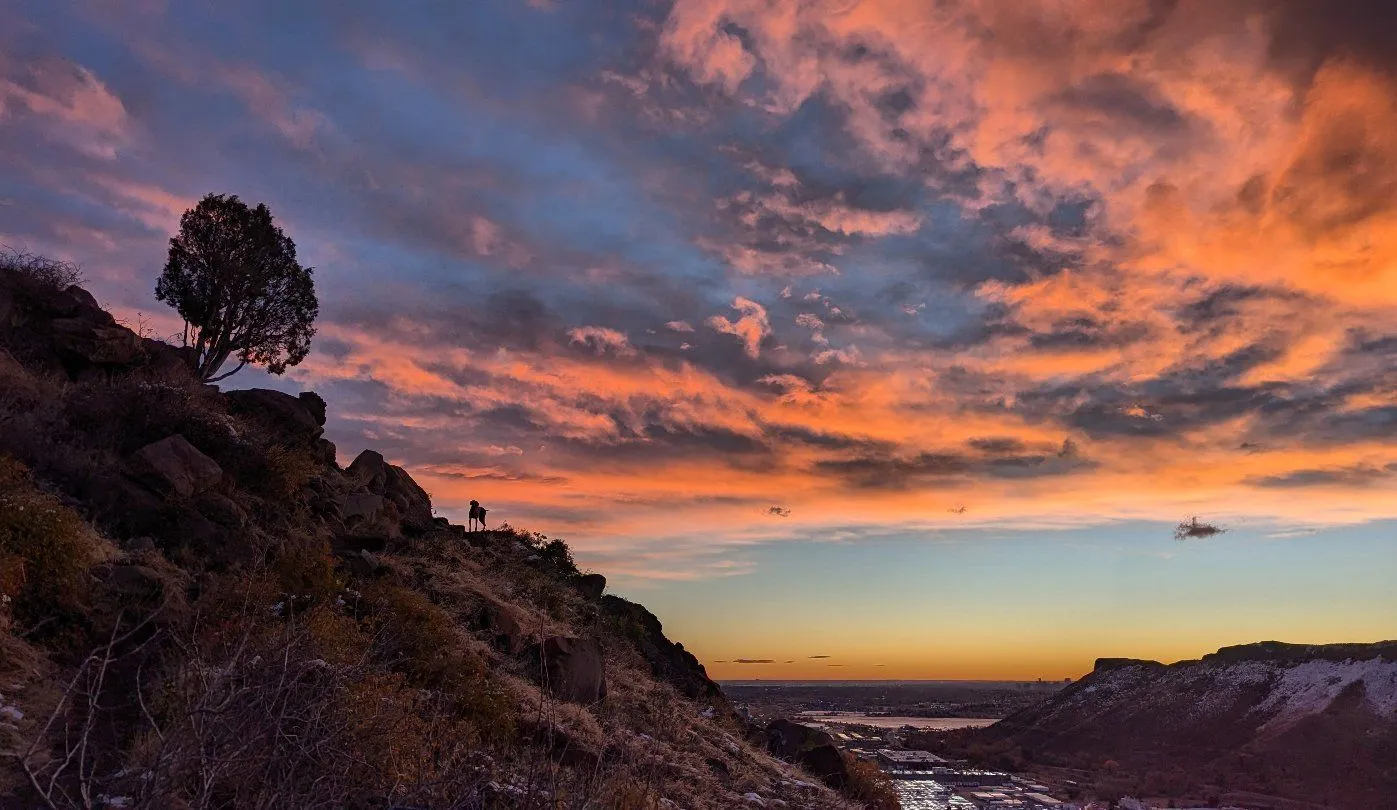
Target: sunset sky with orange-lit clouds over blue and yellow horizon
(857, 339)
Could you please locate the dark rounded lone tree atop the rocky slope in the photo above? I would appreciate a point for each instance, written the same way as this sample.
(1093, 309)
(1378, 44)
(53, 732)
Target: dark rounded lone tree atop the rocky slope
(234, 277)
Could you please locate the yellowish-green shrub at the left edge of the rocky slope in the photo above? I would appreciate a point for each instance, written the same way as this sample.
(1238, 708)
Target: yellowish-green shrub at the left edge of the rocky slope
(45, 550)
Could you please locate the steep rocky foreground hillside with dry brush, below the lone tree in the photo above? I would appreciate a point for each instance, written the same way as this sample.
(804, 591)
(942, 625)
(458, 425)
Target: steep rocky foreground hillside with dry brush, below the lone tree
(200, 608)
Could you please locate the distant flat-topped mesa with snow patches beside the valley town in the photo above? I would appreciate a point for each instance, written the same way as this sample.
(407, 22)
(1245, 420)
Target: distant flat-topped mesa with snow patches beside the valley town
(1314, 724)
